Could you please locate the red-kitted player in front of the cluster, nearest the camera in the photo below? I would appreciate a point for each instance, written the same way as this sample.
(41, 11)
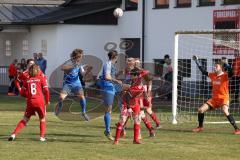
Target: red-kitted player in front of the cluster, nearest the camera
(131, 107)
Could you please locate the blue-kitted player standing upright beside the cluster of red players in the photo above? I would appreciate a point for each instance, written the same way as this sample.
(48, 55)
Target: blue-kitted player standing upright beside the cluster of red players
(109, 86)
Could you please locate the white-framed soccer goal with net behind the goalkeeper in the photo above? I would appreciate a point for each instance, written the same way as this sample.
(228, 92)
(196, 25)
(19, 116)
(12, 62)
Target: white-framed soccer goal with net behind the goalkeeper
(191, 89)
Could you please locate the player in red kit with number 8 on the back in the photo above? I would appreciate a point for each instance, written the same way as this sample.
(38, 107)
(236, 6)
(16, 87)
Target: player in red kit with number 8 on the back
(34, 88)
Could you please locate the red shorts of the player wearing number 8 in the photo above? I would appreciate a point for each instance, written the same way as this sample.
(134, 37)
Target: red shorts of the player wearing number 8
(30, 111)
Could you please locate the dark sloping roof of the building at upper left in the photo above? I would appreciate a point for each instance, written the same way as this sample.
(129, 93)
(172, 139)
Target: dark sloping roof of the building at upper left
(48, 12)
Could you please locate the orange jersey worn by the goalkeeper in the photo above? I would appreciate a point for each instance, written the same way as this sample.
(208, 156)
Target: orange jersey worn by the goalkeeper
(220, 88)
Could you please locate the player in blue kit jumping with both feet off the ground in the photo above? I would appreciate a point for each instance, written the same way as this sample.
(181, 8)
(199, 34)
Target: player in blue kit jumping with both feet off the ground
(72, 83)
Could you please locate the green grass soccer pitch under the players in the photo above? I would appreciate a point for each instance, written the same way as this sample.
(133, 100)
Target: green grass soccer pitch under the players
(85, 140)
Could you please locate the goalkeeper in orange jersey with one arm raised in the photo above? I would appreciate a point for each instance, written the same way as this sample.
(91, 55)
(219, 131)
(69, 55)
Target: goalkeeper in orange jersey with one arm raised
(220, 94)
